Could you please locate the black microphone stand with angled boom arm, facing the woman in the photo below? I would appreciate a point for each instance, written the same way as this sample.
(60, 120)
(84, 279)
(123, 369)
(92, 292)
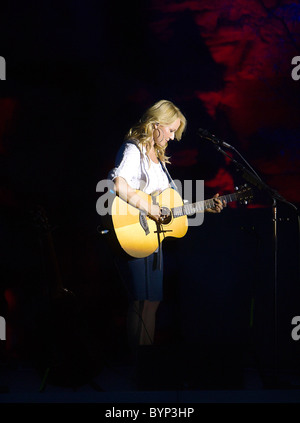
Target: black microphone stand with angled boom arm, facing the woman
(254, 179)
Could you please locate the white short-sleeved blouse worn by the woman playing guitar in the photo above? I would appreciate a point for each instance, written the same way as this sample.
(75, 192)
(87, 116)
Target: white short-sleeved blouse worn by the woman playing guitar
(138, 170)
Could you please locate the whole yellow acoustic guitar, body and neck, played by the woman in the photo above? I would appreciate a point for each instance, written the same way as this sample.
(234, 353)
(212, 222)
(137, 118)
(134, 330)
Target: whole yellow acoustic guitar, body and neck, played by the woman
(134, 233)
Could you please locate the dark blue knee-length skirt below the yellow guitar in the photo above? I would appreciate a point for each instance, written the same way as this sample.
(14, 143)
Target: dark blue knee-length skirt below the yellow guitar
(143, 277)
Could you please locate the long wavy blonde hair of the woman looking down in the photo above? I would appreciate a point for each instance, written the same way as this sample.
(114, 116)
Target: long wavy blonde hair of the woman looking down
(164, 113)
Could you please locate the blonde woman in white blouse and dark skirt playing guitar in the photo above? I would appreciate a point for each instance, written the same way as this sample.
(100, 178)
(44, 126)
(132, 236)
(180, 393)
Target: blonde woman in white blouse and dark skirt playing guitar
(141, 164)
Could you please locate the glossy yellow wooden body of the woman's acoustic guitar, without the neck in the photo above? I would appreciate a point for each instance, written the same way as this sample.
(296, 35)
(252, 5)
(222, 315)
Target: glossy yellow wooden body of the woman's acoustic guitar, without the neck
(138, 235)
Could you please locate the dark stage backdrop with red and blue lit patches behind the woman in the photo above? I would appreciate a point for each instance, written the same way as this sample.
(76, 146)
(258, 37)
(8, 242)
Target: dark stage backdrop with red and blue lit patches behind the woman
(79, 73)
